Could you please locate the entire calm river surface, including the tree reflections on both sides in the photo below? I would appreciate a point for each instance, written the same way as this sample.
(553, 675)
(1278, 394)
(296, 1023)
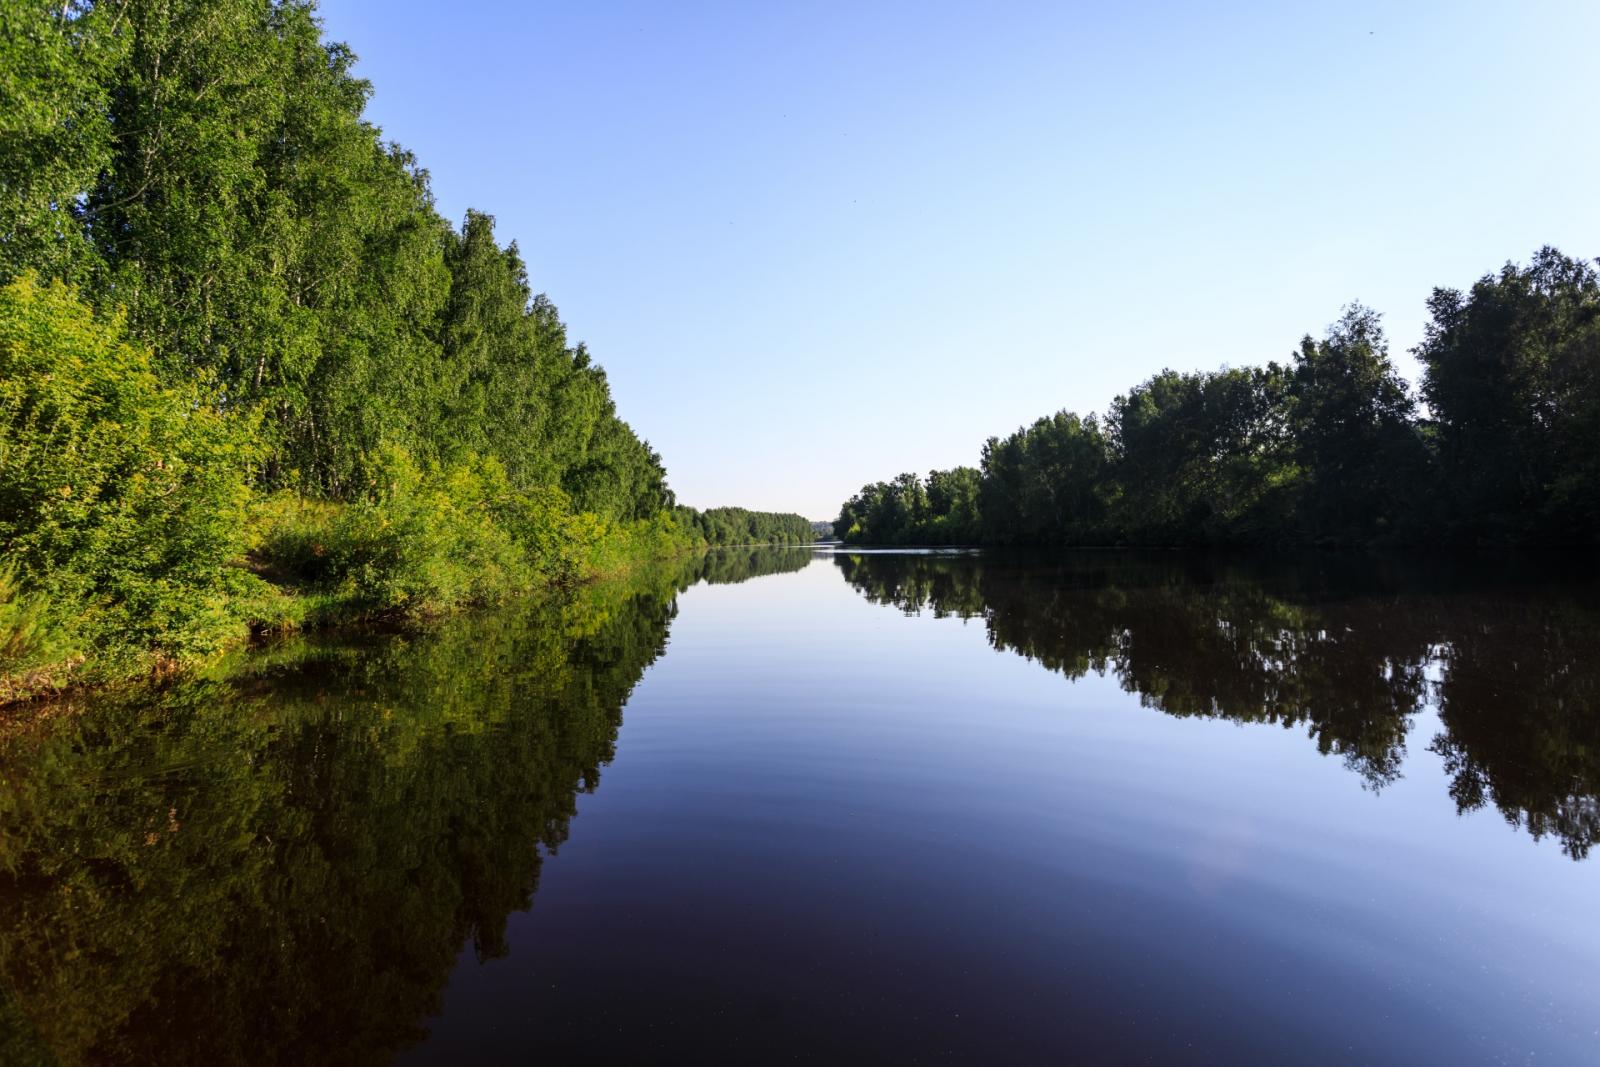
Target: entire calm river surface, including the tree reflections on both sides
(858, 809)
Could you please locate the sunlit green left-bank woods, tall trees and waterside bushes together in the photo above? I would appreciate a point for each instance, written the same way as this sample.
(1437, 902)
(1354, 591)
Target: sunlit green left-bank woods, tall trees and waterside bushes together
(250, 378)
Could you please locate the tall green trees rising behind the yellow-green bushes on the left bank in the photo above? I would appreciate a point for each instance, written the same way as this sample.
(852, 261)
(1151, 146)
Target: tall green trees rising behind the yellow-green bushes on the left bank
(207, 167)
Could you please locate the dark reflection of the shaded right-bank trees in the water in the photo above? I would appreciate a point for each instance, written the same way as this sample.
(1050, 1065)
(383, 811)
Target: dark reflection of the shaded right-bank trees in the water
(1345, 650)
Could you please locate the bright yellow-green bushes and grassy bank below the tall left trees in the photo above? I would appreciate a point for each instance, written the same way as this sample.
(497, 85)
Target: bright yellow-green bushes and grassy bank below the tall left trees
(146, 527)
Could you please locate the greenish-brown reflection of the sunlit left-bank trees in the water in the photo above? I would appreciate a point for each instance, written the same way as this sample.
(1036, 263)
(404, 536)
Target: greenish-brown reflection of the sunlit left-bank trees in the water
(282, 865)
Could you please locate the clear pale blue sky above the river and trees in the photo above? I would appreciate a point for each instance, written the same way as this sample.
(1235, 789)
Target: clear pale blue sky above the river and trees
(822, 244)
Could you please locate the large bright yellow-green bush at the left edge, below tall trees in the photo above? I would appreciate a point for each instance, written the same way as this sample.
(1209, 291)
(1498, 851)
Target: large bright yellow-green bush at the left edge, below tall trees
(122, 502)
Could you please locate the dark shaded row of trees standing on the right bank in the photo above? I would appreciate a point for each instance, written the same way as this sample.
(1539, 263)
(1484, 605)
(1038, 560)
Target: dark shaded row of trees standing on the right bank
(1500, 447)
